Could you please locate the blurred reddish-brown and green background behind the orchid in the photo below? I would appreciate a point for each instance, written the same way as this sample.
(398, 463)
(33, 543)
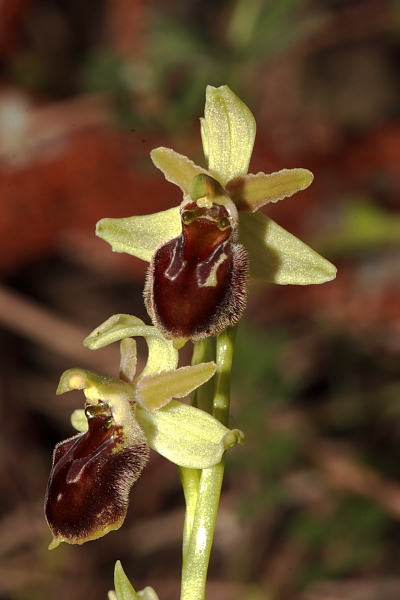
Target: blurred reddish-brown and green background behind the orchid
(311, 504)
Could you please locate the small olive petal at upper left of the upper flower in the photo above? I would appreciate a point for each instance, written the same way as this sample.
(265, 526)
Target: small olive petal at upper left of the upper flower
(178, 169)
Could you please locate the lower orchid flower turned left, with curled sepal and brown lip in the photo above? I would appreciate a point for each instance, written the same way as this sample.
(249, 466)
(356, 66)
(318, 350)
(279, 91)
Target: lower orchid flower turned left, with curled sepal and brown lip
(92, 472)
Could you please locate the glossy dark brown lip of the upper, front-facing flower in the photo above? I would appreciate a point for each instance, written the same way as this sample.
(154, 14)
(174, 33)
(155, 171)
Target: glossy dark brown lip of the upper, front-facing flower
(196, 282)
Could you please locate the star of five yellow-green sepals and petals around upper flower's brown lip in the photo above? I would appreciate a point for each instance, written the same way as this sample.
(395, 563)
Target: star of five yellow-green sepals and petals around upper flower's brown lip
(228, 133)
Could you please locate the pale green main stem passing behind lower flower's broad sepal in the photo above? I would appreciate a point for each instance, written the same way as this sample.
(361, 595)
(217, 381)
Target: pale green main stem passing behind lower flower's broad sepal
(202, 498)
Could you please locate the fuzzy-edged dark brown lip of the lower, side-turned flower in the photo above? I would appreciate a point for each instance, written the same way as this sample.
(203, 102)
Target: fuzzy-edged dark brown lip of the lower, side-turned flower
(90, 479)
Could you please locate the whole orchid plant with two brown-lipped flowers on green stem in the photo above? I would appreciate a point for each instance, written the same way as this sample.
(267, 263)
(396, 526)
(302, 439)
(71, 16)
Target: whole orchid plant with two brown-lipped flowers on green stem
(201, 254)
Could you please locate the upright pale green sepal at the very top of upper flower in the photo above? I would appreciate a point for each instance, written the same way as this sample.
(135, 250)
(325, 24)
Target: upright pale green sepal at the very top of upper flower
(228, 131)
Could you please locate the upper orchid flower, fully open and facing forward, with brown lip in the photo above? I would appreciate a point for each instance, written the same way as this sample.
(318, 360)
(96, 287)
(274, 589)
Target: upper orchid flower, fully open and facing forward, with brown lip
(201, 252)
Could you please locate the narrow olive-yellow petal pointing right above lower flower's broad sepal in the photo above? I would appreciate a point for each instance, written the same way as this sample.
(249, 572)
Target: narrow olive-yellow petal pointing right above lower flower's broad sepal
(155, 391)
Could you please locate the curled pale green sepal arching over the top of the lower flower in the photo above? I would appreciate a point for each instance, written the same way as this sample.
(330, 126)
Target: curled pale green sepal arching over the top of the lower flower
(163, 356)
